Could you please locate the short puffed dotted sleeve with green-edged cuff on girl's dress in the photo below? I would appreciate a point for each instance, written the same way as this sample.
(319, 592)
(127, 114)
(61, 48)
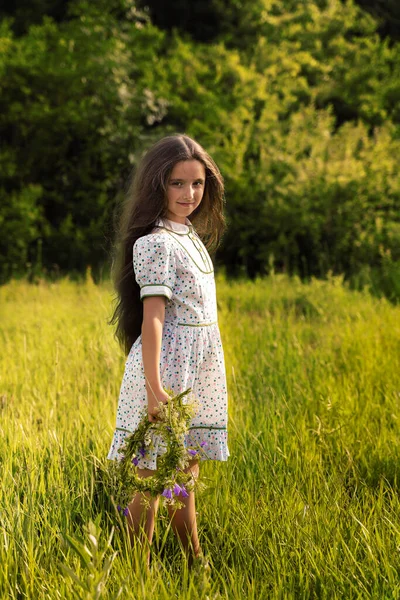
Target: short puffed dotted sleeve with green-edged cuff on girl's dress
(154, 266)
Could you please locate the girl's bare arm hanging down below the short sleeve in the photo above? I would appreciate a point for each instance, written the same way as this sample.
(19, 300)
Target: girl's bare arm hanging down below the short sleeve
(152, 327)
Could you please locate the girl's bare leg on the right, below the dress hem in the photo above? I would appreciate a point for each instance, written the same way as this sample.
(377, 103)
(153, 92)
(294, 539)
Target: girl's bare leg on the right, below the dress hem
(184, 521)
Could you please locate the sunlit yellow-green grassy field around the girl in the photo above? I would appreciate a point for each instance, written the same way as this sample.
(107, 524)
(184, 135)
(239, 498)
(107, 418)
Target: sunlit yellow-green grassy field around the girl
(307, 506)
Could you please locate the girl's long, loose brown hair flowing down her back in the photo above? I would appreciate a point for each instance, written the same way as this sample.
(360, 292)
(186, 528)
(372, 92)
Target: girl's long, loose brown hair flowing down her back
(145, 202)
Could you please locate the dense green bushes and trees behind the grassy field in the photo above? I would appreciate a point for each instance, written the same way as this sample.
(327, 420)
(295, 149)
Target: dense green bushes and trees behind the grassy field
(300, 108)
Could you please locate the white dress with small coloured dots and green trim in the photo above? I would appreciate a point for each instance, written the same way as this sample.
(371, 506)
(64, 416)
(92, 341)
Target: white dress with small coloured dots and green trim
(172, 261)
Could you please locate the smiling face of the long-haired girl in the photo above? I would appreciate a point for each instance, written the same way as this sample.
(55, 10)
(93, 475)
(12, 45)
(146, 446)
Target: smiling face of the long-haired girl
(185, 189)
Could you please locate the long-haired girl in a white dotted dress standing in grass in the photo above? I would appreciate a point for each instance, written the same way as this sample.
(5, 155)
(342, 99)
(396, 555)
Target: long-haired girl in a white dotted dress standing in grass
(166, 316)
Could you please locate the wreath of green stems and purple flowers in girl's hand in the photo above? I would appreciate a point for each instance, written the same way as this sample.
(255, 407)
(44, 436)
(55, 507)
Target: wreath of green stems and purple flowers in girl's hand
(170, 480)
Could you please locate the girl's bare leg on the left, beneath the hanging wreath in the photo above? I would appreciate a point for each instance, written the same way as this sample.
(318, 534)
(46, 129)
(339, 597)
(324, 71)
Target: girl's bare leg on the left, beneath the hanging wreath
(141, 519)
